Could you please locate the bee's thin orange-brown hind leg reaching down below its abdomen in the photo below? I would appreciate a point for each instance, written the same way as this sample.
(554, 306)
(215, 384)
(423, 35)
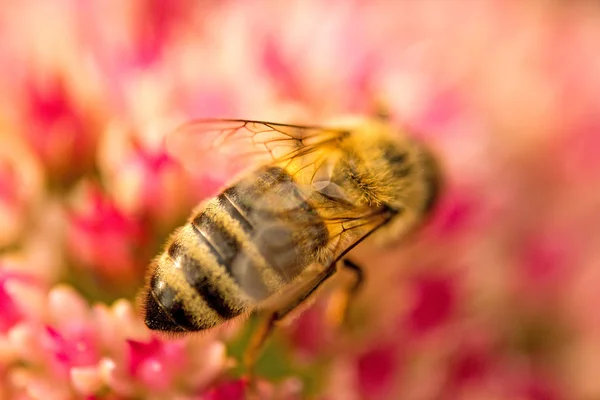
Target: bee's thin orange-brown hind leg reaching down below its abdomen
(260, 336)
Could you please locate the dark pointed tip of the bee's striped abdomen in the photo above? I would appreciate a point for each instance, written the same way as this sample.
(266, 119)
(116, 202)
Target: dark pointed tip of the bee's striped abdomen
(163, 311)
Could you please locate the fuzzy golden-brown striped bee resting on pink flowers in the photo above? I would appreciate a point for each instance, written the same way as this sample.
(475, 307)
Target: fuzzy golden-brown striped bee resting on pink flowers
(302, 197)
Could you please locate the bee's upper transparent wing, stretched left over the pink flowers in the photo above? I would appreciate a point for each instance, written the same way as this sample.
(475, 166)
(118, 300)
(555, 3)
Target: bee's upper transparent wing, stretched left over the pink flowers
(225, 147)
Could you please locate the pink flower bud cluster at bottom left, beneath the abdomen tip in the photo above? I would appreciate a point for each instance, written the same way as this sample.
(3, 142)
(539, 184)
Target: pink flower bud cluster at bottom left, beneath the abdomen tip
(87, 350)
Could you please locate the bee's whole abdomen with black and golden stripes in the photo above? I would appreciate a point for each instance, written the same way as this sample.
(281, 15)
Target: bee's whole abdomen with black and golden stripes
(241, 248)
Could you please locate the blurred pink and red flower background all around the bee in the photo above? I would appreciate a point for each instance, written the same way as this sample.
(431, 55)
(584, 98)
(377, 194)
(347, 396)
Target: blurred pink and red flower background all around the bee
(494, 299)
